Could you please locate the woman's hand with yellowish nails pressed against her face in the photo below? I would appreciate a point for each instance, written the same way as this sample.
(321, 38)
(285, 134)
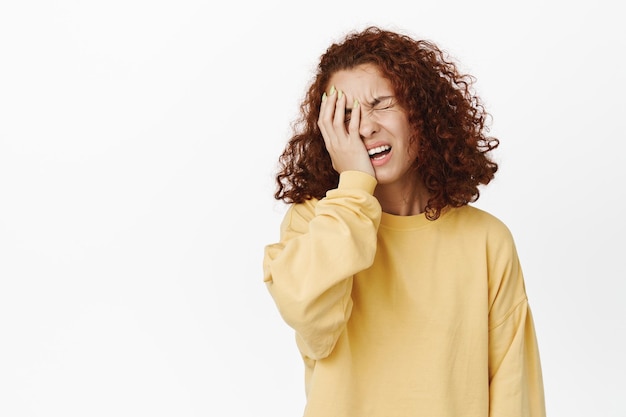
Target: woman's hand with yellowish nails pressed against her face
(345, 147)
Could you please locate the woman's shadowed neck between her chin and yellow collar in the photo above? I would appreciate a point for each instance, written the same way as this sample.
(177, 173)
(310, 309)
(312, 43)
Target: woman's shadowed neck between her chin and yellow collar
(402, 200)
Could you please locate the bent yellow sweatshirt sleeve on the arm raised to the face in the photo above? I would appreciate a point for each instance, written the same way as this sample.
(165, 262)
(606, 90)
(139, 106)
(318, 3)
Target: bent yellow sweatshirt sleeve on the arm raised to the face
(322, 245)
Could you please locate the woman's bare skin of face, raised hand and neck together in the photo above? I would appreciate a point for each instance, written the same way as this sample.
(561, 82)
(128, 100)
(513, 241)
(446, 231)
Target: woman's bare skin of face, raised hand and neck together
(359, 113)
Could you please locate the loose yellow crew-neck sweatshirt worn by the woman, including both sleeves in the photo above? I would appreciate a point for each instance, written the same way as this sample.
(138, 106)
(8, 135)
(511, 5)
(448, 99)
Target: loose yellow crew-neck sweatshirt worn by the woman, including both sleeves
(399, 316)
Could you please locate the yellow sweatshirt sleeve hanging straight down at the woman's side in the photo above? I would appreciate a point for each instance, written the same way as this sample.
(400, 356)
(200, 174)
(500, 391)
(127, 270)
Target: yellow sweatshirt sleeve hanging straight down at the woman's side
(515, 377)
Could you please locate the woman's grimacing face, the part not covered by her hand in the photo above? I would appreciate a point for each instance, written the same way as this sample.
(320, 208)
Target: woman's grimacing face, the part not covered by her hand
(384, 126)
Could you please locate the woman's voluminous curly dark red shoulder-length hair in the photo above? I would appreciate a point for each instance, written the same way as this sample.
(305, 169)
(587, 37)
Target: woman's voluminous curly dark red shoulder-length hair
(442, 109)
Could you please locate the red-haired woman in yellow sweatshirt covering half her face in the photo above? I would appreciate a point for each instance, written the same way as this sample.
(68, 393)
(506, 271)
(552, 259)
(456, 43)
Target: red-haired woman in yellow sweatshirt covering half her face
(405, 300)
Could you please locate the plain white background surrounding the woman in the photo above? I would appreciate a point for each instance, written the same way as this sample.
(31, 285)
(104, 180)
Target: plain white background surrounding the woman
(138, 143)
